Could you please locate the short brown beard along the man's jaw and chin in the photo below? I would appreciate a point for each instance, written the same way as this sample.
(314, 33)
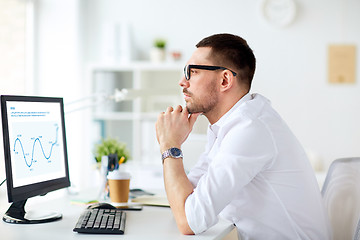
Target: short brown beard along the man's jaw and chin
(203, 105)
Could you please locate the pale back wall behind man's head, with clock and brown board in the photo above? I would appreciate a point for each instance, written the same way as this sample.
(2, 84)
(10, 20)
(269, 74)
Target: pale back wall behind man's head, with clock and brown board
(291, 61)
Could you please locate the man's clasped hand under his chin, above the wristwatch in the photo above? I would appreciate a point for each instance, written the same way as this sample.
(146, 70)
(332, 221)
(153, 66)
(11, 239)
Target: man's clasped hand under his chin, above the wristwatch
(174, 126)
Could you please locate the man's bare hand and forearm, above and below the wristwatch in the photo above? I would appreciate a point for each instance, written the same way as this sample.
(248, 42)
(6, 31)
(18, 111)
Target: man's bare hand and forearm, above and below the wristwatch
(172, 129)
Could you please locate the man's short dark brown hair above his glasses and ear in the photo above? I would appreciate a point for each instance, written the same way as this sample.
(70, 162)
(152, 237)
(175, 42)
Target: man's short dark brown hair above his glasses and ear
(232, 52)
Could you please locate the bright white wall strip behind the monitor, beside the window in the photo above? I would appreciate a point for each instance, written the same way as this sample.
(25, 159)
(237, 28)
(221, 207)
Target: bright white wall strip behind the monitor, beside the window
(58, 72)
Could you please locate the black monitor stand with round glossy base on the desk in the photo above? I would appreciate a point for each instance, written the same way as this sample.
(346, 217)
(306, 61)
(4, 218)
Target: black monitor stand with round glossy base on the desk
(16, 214)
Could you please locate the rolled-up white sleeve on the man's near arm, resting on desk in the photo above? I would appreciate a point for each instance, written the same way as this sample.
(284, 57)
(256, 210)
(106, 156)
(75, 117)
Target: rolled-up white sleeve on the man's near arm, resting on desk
(243, 152)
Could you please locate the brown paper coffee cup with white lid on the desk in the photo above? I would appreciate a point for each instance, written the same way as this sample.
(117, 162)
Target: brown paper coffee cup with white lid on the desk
(119, 184)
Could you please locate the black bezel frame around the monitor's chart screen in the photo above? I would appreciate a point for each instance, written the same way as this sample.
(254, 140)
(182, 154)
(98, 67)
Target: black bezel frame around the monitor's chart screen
(41, 188)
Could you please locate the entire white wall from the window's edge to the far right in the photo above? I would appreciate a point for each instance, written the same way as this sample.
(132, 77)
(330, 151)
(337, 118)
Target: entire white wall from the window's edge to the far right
(291, 61)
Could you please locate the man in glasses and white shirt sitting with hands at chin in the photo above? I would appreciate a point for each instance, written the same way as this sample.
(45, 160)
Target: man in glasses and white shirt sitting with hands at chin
(253, 172)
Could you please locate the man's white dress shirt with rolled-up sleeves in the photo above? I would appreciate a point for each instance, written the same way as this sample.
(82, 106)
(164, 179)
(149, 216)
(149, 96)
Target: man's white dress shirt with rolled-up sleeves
(255, 174)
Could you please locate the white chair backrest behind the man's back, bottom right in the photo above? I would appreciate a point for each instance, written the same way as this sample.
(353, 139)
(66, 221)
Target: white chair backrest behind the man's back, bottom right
(341, 195)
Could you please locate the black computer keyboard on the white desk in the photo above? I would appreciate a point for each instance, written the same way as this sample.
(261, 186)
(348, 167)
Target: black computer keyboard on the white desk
(103, 221)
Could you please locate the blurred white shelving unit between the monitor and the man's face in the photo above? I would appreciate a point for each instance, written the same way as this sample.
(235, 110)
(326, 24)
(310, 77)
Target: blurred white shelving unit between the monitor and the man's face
(133, 121)
